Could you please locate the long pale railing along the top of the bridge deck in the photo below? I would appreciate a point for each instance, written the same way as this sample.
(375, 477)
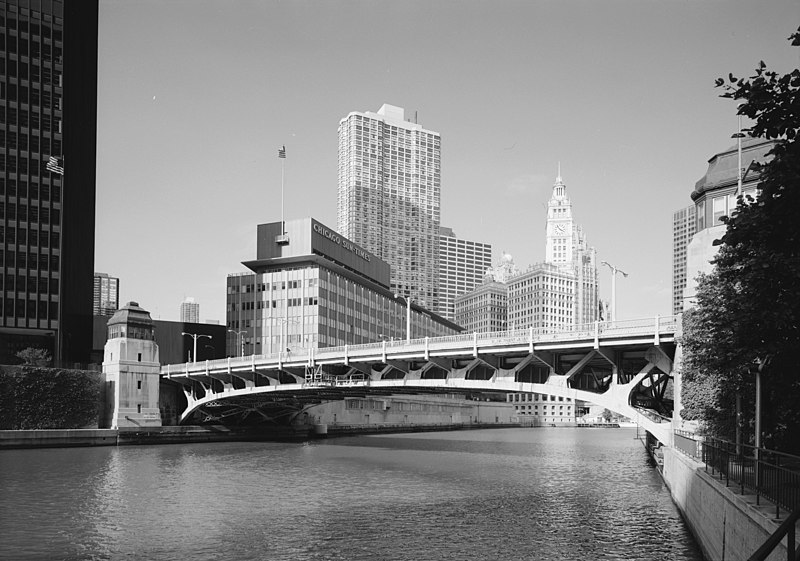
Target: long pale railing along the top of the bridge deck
(601, 330)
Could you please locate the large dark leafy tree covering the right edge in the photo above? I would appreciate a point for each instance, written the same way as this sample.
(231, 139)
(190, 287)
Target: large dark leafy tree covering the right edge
(748, 309)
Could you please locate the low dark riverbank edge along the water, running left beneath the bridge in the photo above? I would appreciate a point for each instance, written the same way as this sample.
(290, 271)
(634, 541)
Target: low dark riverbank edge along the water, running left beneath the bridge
(66, 438)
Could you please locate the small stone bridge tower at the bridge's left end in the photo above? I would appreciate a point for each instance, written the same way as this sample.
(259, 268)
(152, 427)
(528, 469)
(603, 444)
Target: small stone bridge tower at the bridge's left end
(132, 370)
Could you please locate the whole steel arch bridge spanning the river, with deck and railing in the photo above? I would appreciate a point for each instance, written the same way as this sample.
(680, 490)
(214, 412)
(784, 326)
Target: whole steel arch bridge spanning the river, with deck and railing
(624, 366)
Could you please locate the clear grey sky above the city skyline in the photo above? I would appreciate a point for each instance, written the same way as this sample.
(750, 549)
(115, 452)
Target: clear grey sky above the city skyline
(196, 96)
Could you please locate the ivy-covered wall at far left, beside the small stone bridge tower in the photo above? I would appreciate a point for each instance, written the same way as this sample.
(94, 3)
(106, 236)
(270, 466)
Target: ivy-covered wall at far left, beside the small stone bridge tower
(35, 397)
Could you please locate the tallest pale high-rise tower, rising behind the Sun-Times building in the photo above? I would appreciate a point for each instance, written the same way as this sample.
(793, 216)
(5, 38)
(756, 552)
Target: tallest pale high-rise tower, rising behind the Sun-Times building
(389, 197)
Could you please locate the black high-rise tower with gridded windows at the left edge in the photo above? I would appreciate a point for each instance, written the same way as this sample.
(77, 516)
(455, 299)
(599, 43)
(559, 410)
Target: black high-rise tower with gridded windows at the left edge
(48, 137)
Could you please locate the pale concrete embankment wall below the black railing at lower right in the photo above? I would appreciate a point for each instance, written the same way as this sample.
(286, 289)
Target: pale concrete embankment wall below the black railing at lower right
(727, 525)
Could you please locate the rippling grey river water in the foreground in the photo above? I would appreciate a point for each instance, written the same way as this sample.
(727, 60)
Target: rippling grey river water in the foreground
(505, 494)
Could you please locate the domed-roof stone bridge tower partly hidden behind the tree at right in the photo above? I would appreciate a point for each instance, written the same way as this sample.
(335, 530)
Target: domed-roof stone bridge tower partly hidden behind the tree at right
(714, 196)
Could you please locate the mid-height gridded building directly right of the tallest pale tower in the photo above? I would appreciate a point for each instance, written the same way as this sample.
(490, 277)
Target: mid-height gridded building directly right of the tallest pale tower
(462, 266)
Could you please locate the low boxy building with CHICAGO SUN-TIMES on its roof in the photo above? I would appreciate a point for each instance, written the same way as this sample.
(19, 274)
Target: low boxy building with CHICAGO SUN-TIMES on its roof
(309, 287)
